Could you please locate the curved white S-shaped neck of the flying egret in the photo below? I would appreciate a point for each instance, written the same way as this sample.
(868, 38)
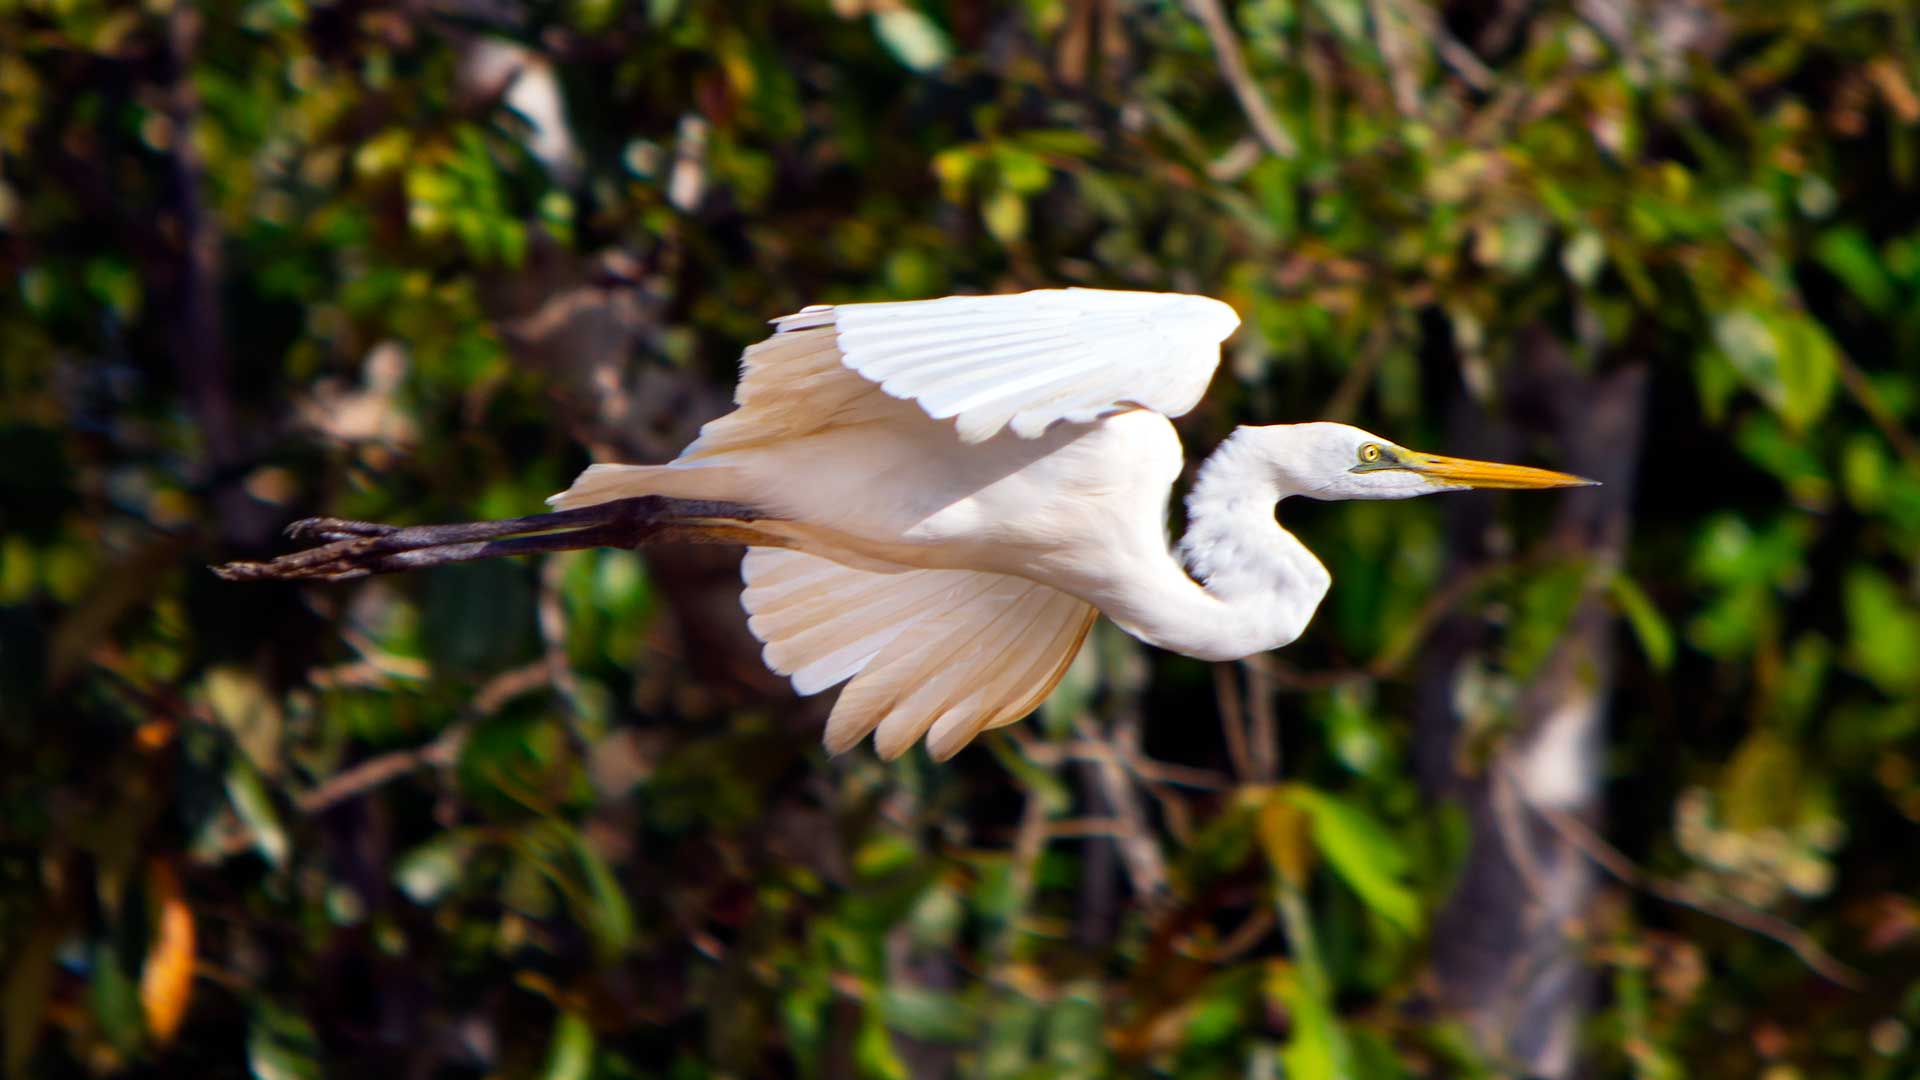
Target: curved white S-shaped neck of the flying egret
(1253, 585)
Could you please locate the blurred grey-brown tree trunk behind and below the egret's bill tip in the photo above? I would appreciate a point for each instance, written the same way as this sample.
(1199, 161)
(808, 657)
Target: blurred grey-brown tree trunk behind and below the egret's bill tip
(1502, 950)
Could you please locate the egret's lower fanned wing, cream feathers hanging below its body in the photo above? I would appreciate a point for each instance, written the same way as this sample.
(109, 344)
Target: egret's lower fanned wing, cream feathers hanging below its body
(938, 654)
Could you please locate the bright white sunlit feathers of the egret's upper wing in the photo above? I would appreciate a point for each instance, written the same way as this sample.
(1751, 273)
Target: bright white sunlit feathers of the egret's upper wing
(1032, 358)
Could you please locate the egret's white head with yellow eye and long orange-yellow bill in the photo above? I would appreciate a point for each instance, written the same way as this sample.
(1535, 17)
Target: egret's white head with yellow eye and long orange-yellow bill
(1341, 462)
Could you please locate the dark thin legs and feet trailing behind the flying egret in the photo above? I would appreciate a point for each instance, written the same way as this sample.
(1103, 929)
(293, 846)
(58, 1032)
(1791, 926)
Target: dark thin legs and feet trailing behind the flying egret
(358, 549)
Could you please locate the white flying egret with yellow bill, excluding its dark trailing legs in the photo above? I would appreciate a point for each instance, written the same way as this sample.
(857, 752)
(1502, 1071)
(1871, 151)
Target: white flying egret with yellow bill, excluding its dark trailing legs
(948, 493)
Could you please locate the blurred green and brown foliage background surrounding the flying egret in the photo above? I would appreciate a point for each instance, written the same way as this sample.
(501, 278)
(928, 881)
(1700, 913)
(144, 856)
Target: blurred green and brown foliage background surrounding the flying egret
(1623, 783)
